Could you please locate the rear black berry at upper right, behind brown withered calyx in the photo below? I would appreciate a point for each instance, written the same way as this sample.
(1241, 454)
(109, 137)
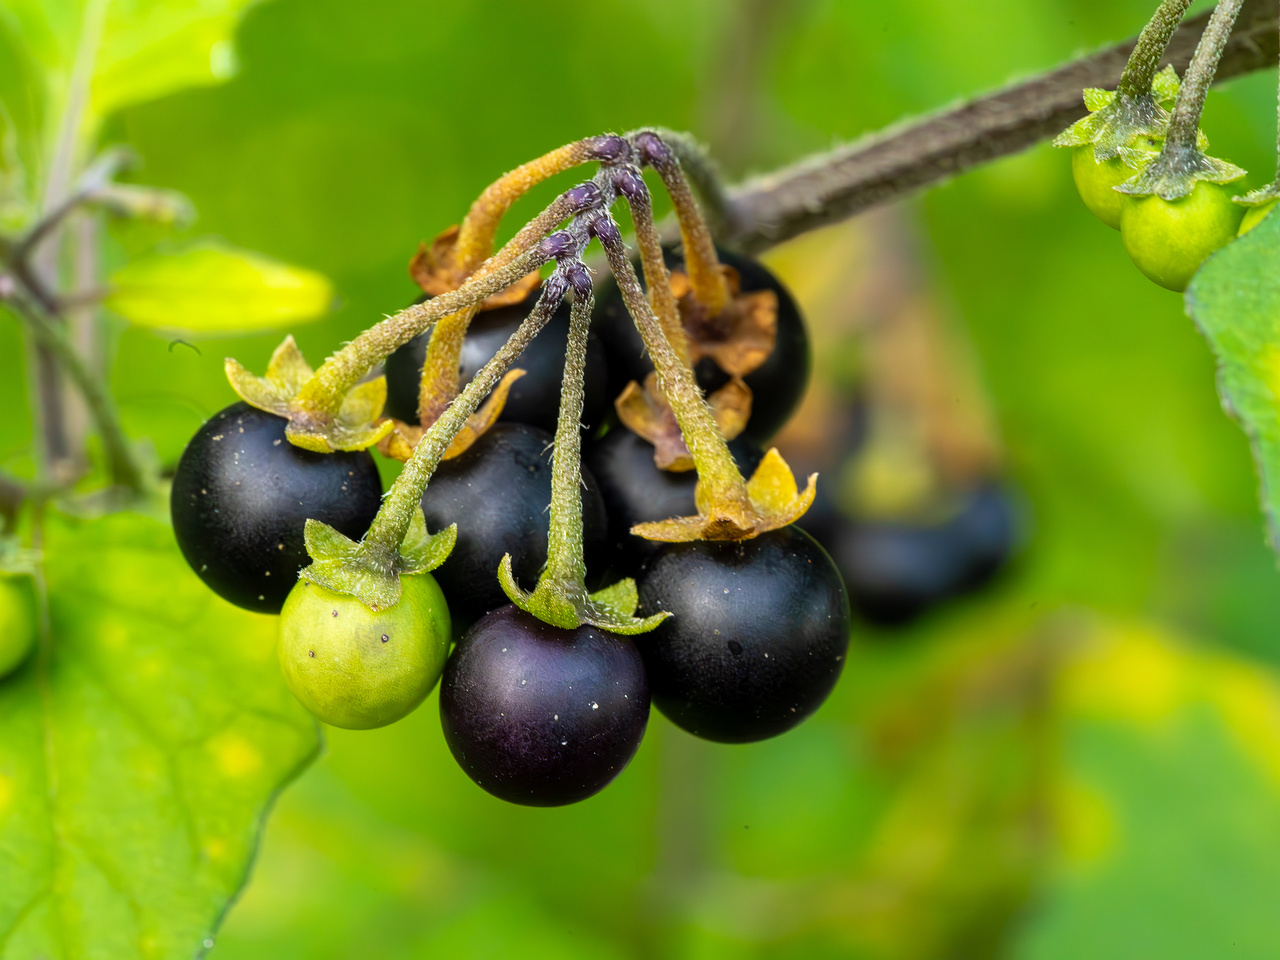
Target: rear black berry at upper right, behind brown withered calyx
(776, 386)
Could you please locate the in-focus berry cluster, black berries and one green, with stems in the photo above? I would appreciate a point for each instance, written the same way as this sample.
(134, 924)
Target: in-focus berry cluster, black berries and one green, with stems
(586, 559)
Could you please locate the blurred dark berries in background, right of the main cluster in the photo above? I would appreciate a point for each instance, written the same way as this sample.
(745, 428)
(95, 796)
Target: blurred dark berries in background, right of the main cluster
(897, 572)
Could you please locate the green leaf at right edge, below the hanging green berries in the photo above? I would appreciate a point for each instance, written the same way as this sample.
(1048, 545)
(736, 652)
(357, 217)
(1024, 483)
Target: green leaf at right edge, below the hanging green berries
(1236, 301)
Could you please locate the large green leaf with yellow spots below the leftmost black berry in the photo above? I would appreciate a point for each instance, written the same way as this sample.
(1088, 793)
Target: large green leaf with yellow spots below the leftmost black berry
(139, 752)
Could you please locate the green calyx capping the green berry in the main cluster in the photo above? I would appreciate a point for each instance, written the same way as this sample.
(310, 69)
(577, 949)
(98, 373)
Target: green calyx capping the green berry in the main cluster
(369, 570)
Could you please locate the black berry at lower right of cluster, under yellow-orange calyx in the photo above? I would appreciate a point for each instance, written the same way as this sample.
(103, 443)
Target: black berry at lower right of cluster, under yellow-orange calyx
(758, 638)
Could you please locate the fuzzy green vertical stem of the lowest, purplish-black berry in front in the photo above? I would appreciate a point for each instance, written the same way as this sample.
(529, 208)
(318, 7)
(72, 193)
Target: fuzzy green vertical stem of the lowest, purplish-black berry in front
(566, 566)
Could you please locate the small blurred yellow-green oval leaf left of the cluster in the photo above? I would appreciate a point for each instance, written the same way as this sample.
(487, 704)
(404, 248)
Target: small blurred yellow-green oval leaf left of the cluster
(212, 289)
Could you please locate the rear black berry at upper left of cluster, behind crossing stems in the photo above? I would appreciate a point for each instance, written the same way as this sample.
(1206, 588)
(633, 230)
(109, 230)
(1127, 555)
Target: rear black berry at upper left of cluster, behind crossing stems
(534, 399)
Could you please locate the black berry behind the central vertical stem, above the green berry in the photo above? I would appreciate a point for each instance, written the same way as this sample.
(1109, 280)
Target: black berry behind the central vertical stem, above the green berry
(499, 493)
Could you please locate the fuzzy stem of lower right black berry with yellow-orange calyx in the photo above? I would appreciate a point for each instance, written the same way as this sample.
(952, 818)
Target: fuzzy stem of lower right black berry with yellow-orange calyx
(719, 477)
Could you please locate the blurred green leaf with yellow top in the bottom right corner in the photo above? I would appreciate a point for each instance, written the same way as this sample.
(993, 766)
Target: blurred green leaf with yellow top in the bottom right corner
(1168, 806)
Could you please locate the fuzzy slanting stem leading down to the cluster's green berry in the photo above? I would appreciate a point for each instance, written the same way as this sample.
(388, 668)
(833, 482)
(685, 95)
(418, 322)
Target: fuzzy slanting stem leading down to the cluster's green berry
(399, 508)
